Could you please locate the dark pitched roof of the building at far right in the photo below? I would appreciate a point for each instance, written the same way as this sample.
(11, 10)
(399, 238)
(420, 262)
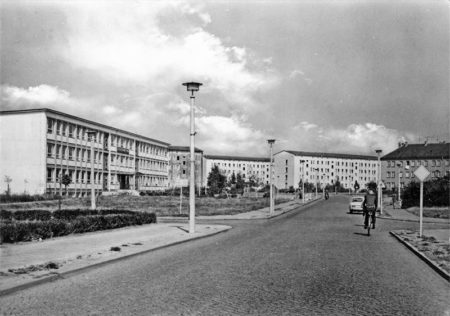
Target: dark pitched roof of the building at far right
(420, 151)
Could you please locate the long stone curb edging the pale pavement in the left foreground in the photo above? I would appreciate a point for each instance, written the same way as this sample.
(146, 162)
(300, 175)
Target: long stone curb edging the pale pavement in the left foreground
(56, 276)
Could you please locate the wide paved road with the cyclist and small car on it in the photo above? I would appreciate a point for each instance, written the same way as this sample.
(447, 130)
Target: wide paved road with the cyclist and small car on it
(315, 261)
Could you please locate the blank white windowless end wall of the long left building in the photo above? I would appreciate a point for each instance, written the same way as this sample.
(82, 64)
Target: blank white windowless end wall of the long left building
(22, 153)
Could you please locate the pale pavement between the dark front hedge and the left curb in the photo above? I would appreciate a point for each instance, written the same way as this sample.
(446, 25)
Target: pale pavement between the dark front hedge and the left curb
(26, 264)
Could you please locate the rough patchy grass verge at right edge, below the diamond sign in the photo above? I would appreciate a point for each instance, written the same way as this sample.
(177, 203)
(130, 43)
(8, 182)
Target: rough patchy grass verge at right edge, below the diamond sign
(436, 250)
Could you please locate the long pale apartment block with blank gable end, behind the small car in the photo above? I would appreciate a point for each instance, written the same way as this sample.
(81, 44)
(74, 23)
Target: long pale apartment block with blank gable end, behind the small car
(322, 169)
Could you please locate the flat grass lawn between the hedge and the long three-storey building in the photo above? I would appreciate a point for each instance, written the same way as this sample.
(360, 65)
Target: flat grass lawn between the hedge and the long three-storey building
(161, 205)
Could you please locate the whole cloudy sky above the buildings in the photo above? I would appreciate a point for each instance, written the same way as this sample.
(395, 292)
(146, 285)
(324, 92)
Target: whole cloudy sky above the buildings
(325, 76)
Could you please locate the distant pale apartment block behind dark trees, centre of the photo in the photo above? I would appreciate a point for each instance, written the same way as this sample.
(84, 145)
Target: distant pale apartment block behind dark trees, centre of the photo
(248, 167)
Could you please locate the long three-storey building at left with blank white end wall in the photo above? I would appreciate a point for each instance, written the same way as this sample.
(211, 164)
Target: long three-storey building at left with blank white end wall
(39, 146)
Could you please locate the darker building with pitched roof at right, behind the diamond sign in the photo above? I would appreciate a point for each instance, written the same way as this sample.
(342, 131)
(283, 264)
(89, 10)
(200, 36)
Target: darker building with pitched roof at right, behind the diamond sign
(398, 166)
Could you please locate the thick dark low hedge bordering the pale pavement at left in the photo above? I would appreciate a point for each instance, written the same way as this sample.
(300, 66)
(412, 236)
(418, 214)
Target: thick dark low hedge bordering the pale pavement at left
(28, 230)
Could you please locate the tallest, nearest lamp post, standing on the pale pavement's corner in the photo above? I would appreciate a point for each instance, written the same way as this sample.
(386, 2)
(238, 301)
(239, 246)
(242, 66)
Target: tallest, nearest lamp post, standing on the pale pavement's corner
(192, 87)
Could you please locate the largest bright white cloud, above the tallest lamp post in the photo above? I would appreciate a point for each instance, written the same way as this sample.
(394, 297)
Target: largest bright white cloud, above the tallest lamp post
(159, 45)
